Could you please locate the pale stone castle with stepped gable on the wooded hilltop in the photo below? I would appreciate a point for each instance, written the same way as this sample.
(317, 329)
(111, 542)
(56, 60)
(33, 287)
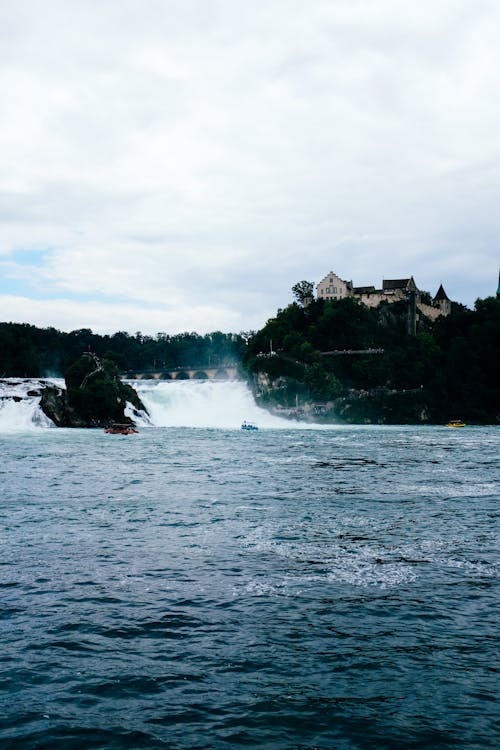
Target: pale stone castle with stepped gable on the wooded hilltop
(393, 290)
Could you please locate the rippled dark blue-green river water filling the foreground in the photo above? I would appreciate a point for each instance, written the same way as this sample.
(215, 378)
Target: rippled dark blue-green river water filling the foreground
(214, 589)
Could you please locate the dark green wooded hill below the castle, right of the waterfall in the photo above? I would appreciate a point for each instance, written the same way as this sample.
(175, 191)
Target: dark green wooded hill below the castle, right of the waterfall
(450, 369)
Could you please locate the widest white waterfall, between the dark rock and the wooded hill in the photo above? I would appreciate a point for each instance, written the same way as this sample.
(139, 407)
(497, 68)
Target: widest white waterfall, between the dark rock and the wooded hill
(203, 403)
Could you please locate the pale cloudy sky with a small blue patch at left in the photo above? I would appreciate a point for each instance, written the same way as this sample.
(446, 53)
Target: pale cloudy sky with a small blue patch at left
(178, 165)
